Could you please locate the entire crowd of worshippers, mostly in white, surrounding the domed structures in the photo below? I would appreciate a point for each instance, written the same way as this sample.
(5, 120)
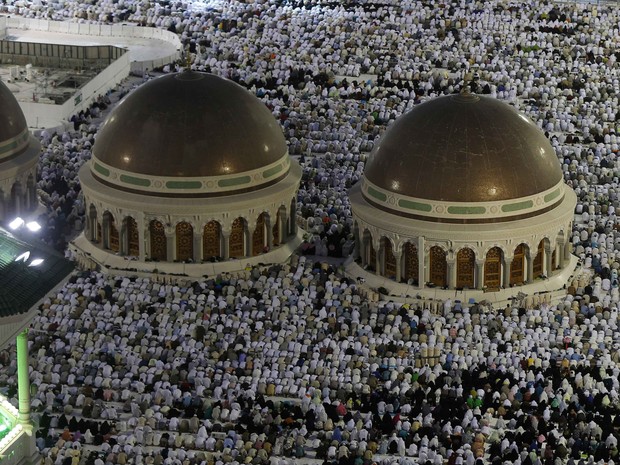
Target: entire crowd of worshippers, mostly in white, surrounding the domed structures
(292, 362)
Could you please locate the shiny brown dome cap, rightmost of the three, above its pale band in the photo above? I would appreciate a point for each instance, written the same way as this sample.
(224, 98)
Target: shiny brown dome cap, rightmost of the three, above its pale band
(464, 148)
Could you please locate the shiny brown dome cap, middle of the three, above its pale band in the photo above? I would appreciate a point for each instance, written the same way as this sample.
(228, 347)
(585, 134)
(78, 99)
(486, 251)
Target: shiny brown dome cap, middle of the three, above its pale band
(190, 124)
